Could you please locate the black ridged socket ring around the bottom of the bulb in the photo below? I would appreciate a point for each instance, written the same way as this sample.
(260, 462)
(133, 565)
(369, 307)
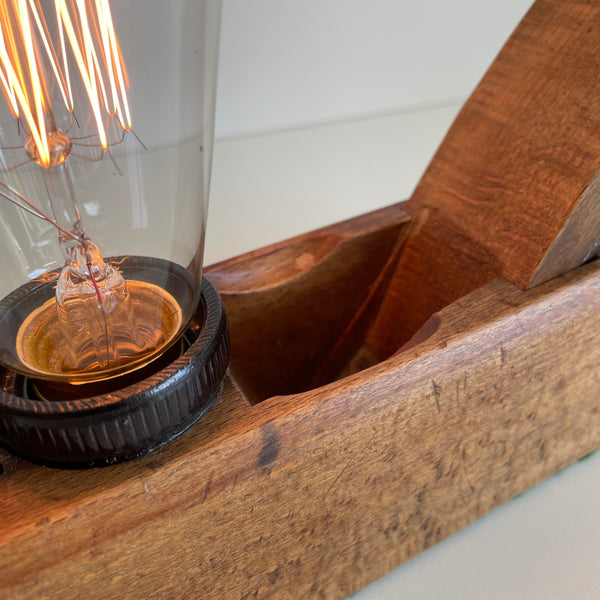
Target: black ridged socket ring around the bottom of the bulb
(127, 422)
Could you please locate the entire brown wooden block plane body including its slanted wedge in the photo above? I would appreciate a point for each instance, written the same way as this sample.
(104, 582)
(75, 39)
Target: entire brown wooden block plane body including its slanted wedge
(393, 377)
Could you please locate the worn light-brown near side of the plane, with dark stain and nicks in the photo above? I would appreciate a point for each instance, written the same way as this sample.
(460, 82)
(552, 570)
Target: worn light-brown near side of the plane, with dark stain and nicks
(315, 495)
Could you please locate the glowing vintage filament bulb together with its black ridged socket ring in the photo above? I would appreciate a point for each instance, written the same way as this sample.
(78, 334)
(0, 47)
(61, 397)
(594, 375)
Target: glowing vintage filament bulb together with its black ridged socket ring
(111, 342)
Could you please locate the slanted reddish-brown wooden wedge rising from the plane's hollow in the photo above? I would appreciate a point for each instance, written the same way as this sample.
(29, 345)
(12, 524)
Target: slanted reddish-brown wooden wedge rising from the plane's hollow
(509, 191)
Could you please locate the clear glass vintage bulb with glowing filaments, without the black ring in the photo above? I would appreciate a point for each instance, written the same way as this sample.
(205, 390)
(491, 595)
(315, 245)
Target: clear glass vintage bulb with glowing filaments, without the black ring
(106, 128)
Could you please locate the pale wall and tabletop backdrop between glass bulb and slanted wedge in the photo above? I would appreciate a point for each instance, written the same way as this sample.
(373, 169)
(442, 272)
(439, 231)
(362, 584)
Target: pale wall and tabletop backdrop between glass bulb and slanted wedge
(329, 108)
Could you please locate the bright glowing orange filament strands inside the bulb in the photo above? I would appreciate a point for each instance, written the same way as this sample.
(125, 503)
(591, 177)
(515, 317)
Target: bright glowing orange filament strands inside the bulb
(30, 65)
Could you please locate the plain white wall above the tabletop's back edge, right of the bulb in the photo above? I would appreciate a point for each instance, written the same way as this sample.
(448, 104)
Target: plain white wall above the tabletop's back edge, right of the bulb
(289, 63)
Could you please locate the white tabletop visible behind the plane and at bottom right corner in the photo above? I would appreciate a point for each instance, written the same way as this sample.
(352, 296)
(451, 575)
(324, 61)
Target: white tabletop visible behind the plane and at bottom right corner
(544, 544)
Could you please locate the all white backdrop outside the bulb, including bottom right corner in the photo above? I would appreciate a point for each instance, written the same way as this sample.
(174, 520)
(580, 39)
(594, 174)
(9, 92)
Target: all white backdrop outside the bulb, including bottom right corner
(329, 108)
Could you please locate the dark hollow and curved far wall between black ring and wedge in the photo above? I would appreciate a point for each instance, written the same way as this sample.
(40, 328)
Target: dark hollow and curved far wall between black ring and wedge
(299, 312)
